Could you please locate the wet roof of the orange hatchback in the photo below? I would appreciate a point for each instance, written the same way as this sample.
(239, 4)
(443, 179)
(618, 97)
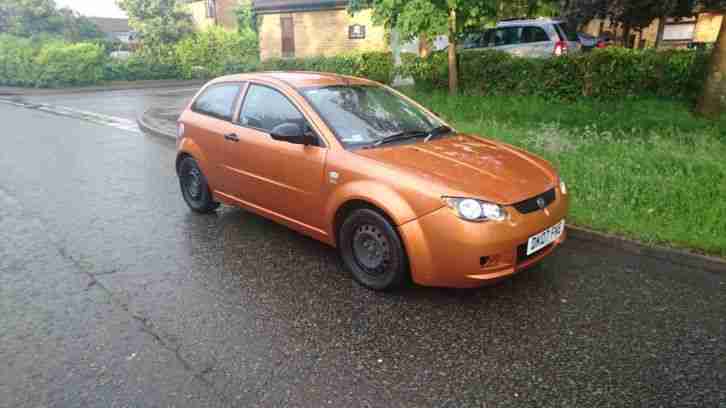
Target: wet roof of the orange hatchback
(298, 79)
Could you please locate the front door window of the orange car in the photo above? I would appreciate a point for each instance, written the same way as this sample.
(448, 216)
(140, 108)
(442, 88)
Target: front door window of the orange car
(265, 108)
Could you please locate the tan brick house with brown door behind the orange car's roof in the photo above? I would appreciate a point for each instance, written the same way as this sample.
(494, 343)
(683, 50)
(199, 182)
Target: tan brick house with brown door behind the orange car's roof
(306, 28)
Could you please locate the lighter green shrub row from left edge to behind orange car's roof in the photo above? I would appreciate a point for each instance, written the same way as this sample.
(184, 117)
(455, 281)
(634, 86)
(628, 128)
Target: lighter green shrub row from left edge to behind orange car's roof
(206, 54)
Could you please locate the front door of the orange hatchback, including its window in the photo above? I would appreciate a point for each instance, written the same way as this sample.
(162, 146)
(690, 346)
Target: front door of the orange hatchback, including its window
(277, 177)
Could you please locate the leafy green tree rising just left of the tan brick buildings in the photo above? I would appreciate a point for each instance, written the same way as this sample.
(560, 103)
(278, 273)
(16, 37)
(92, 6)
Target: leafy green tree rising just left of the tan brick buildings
(158, 21)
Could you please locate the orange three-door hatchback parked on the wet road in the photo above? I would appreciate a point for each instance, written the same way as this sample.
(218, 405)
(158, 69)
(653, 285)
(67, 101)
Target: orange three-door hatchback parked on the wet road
(359, 166)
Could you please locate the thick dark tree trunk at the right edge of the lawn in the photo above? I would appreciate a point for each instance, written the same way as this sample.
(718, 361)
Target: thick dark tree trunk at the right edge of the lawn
(712, 102)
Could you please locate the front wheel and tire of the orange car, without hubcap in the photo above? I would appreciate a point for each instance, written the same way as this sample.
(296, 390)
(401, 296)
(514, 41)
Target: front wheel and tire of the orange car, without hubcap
(372, 251)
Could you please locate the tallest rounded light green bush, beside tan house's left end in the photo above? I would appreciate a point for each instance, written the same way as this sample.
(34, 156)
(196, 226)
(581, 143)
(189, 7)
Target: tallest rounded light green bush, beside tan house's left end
(214, 52)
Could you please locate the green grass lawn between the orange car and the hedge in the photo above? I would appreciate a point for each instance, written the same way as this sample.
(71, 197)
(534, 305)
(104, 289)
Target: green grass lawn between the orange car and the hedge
(645, 169)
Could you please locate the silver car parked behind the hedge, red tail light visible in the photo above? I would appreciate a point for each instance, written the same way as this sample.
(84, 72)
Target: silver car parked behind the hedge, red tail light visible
(527, 38)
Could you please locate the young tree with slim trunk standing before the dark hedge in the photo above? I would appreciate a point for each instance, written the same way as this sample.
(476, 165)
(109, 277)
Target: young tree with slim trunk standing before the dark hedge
(430, 17)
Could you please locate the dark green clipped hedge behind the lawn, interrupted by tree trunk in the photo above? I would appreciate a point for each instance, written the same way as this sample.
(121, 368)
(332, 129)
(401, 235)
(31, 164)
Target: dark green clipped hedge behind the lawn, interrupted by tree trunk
(608, 73)
